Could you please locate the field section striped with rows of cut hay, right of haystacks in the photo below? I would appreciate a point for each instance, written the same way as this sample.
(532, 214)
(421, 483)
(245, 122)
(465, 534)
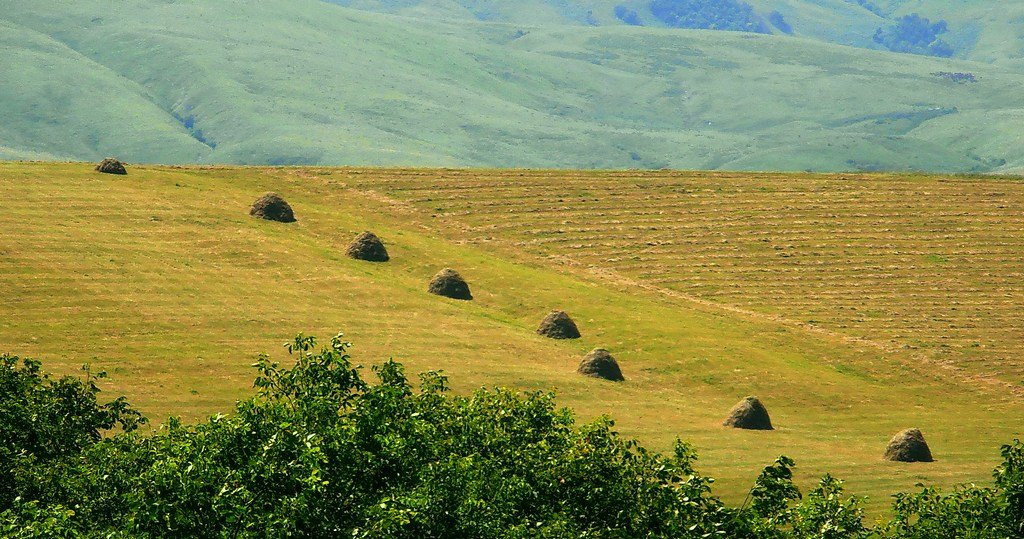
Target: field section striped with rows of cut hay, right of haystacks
(931, 265)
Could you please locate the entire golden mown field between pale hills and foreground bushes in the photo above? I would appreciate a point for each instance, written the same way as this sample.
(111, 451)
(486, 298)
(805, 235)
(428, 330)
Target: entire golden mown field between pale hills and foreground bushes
(850, 305)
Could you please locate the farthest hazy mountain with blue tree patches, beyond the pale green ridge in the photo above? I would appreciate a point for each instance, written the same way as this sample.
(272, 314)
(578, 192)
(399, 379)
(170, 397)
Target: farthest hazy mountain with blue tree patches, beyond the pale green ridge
(973, 29)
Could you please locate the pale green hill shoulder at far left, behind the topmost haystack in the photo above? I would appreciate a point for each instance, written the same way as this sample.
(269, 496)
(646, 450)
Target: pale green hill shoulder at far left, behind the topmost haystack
(58, 104)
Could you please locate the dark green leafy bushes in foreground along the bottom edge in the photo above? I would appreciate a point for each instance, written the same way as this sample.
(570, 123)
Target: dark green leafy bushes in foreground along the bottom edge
(320, 451)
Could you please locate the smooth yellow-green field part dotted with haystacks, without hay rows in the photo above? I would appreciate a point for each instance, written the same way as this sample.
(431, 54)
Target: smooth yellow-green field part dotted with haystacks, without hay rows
(162, 279)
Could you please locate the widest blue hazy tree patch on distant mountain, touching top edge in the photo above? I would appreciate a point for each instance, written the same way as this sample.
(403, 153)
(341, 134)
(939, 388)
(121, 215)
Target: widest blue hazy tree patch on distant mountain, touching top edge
(710, 15)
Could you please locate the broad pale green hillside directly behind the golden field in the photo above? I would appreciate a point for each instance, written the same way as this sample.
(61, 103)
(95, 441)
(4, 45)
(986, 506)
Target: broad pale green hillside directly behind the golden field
(308, 82)
